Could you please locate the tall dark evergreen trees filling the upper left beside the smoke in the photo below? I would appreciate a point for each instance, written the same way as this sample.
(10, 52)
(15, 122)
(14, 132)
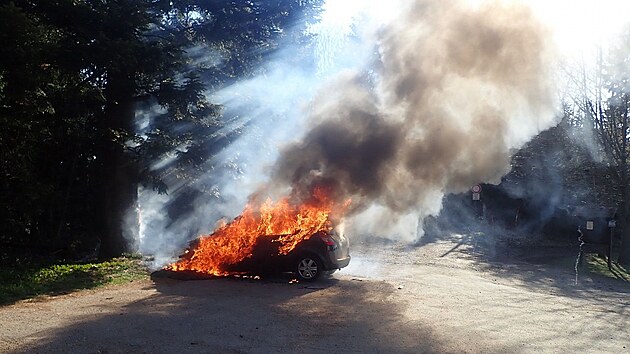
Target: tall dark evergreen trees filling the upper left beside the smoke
(74, 73)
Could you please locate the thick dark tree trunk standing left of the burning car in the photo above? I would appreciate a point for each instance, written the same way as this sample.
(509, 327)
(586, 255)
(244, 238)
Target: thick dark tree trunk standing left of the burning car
(118, 178)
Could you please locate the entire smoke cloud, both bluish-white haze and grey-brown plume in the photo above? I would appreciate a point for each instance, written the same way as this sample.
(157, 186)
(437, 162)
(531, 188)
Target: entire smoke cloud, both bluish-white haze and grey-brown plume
(450, 88)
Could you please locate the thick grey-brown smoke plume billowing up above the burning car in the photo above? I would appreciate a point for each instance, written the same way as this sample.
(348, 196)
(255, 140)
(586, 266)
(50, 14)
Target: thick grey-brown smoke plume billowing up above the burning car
(455, 88)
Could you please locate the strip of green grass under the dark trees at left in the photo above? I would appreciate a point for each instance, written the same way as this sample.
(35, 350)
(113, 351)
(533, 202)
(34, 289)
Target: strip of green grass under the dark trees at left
(25, 283)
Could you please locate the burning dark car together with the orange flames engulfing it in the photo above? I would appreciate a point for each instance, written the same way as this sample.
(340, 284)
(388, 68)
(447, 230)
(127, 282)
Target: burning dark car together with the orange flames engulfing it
(270, 237)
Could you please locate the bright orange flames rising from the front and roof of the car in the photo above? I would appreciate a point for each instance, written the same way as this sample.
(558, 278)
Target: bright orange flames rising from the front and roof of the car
(234, 242)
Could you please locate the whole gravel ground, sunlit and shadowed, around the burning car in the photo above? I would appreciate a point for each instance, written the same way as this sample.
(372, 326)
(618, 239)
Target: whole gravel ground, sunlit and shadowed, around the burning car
(456, 294)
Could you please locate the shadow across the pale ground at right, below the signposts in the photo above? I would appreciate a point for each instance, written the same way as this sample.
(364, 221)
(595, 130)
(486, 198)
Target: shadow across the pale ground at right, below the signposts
(534, 263)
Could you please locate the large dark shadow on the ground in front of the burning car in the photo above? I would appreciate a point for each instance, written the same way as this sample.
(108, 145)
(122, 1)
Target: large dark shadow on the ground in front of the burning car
(229, 315)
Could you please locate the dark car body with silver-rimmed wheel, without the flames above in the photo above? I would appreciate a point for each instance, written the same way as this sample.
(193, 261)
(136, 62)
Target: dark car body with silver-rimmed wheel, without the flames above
(321, 254)
